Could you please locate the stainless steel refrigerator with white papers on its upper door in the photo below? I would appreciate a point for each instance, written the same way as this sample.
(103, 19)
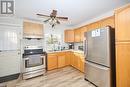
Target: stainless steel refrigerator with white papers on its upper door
(100, 57)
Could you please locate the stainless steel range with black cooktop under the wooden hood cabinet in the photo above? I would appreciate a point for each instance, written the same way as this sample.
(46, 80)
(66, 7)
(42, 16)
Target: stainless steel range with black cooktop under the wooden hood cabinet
(34, 62)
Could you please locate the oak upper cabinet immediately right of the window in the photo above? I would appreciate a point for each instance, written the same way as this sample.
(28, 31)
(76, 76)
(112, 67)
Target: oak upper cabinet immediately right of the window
(69, 35)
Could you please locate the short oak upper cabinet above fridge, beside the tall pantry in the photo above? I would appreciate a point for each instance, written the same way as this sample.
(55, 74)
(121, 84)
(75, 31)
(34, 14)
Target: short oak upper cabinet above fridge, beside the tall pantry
(110, 21)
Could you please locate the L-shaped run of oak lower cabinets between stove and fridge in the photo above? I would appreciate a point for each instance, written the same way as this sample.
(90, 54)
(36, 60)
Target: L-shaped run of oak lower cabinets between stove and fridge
(62, 59)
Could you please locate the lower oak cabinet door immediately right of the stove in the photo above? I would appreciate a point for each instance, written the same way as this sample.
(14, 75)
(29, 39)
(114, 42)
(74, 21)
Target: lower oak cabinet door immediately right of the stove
(52, 62)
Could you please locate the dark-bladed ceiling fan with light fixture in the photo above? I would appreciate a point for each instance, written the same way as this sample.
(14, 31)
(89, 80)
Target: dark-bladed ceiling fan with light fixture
(52, 18)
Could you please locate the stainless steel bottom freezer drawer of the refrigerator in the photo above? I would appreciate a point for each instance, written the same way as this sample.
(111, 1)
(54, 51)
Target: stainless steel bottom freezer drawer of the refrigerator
(99, 75)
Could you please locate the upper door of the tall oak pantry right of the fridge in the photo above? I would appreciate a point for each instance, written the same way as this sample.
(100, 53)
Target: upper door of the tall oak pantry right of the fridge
(122, 21)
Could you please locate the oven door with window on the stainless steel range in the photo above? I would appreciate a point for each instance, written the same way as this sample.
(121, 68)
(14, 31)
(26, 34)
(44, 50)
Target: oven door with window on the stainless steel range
(34, 62)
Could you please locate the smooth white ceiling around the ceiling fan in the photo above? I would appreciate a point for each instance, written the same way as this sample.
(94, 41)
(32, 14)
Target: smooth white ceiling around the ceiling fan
(78, 11)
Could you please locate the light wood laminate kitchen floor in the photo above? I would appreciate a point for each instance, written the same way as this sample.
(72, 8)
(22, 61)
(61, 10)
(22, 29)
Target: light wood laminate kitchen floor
(65, 77)
